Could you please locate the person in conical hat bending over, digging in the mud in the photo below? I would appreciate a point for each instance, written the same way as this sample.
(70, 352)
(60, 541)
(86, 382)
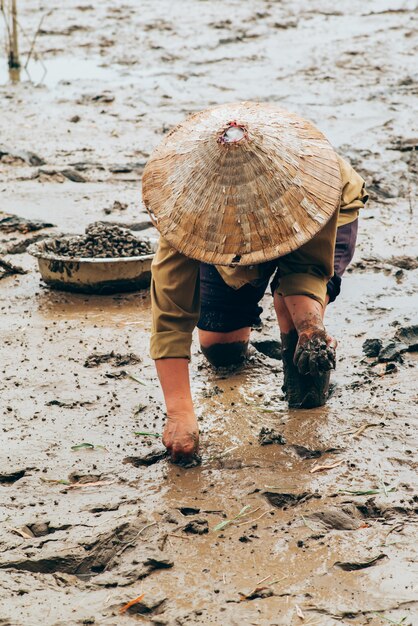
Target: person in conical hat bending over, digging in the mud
(245, 196)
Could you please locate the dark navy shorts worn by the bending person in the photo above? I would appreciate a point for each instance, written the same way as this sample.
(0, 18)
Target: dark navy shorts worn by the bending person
(224, 309)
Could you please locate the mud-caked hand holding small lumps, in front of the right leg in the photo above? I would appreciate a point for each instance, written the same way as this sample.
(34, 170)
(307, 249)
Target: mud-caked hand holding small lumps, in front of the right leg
(315, 352)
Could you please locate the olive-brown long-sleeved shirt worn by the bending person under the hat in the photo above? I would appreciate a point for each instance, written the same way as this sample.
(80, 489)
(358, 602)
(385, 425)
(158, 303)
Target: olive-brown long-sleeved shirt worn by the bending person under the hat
(175, 289)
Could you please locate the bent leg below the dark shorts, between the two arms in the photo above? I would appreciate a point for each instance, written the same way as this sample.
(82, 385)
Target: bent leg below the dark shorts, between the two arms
(224, 349)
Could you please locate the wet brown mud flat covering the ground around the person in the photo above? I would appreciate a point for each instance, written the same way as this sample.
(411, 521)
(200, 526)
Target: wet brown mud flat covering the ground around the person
(318, 530)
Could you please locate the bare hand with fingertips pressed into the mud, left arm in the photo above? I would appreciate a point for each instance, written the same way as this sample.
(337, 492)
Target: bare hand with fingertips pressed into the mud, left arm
(181, 437)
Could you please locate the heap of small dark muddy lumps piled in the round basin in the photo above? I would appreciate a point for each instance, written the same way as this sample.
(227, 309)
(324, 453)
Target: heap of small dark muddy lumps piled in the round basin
(102, 241)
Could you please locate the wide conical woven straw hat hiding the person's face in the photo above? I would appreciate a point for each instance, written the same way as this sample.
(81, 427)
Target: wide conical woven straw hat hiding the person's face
(242, 183)
